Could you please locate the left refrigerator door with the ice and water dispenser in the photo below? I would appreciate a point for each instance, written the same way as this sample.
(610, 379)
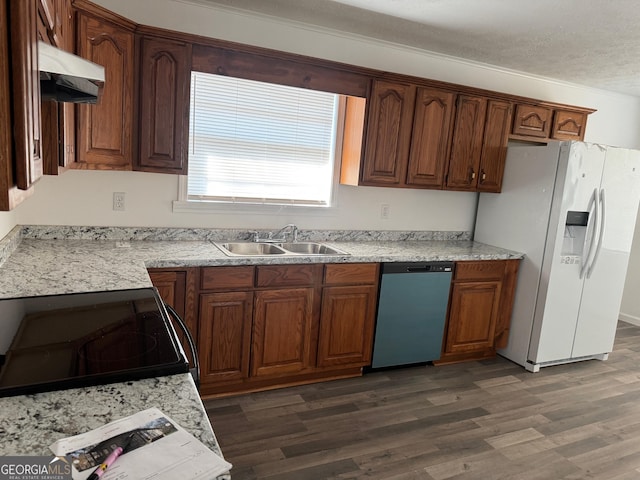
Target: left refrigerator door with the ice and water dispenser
(567, 248)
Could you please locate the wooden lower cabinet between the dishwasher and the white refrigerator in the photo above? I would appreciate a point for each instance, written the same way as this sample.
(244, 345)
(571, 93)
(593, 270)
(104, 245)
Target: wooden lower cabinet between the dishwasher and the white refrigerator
(480, 307)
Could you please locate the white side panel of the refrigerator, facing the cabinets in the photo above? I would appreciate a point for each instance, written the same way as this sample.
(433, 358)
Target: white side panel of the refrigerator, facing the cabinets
(518, 219)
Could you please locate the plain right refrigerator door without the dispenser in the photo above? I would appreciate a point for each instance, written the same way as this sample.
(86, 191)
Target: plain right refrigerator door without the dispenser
(603, 290)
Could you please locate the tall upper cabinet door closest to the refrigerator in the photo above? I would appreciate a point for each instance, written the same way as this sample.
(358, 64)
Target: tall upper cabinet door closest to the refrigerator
(494, 146)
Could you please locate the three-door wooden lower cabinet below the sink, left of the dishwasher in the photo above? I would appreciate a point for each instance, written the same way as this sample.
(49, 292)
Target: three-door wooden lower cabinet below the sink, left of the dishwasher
(271, 326)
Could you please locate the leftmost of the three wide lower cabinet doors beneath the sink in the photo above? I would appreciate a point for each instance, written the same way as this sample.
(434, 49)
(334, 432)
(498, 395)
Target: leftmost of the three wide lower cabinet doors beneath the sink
(225, 336)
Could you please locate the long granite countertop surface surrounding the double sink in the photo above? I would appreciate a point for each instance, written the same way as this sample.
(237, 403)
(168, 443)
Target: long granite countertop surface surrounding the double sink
(43, 266)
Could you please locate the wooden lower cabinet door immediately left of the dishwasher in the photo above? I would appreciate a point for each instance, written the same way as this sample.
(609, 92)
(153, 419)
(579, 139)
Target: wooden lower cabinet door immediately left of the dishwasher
(346, 326)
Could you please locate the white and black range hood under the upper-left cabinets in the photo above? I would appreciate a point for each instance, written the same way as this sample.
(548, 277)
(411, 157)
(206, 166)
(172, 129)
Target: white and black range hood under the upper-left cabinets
(65, 77)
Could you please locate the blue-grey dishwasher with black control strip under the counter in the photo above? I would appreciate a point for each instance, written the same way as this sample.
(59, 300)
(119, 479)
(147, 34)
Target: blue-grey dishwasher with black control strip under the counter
(412, 310)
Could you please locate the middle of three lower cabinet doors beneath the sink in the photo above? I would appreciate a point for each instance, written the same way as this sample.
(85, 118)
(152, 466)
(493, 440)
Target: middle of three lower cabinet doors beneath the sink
(282, 331)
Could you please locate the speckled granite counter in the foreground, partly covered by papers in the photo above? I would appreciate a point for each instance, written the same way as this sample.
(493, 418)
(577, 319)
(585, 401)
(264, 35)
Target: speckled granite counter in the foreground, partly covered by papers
(30, 423)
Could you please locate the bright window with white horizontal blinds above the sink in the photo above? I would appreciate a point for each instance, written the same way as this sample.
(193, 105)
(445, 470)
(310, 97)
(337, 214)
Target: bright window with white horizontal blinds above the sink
(255, 142)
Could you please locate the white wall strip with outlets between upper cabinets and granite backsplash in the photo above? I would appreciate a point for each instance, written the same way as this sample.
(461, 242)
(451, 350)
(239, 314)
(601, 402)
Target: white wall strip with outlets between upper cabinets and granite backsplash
(85, 198)
